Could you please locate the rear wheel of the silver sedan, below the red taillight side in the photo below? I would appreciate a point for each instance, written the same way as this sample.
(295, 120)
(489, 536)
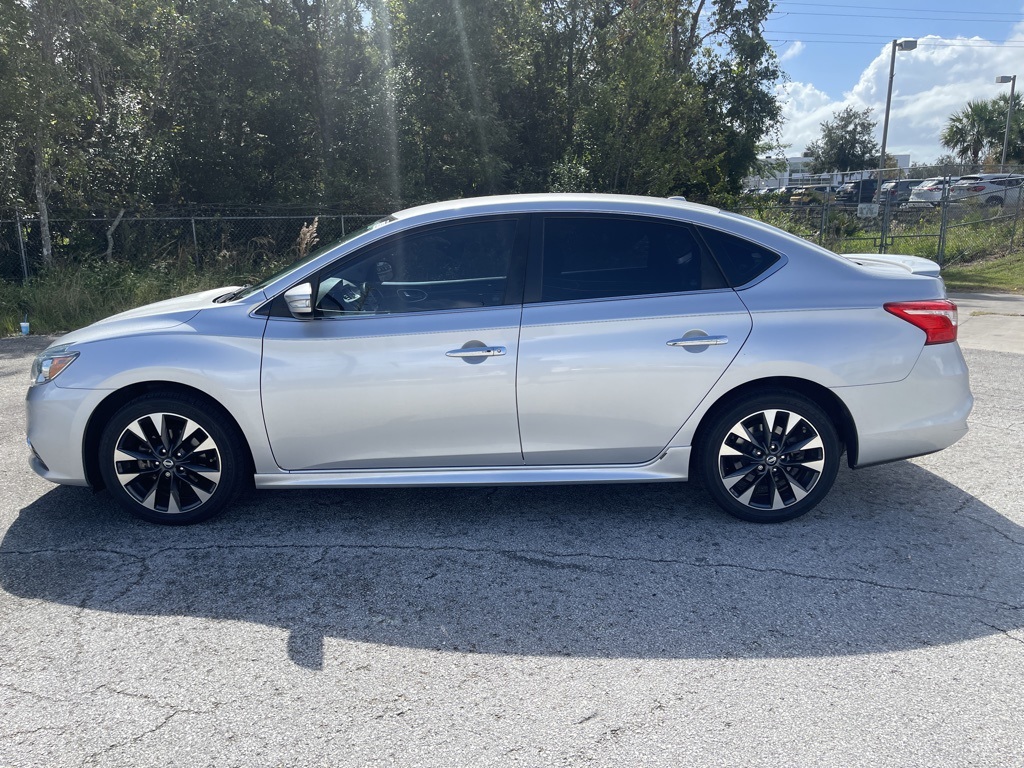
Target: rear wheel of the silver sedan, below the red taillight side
(759, 480)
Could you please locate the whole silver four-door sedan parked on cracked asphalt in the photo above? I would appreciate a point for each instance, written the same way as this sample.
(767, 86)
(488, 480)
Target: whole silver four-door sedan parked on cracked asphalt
(525, 339)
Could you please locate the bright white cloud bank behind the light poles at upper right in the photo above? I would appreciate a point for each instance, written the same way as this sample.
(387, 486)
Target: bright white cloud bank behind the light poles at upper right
(930, 84)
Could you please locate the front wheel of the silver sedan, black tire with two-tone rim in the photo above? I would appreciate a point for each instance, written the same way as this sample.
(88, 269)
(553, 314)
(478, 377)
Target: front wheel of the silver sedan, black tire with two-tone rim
(172, 459)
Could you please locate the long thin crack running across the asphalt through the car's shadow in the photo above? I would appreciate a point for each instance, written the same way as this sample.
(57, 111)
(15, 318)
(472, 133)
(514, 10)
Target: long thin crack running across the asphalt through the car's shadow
(534, 559)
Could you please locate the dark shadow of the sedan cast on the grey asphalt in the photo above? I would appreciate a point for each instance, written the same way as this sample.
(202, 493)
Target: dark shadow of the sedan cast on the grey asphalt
(895, 560)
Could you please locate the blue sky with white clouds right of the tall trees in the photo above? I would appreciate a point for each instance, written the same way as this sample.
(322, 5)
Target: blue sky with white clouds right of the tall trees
(836, 54)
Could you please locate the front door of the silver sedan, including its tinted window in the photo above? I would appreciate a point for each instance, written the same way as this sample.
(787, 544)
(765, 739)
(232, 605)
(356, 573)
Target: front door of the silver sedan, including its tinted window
(410, 359)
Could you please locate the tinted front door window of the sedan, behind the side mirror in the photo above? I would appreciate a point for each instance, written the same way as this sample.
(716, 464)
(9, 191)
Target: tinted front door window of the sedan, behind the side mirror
(455, 267)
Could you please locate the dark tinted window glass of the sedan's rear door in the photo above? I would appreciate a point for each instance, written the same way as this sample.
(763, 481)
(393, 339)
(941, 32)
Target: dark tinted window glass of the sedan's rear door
(599, 258)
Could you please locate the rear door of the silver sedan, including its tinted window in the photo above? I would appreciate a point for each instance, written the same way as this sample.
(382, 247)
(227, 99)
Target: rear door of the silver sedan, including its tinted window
(628, 325)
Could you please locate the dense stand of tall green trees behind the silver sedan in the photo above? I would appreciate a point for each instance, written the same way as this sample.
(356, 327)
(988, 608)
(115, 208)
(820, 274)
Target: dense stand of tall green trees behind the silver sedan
(369, 104)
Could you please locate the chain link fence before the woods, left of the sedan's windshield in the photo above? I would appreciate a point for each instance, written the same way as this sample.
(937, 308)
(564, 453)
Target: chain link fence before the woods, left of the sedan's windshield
(240, 244)
